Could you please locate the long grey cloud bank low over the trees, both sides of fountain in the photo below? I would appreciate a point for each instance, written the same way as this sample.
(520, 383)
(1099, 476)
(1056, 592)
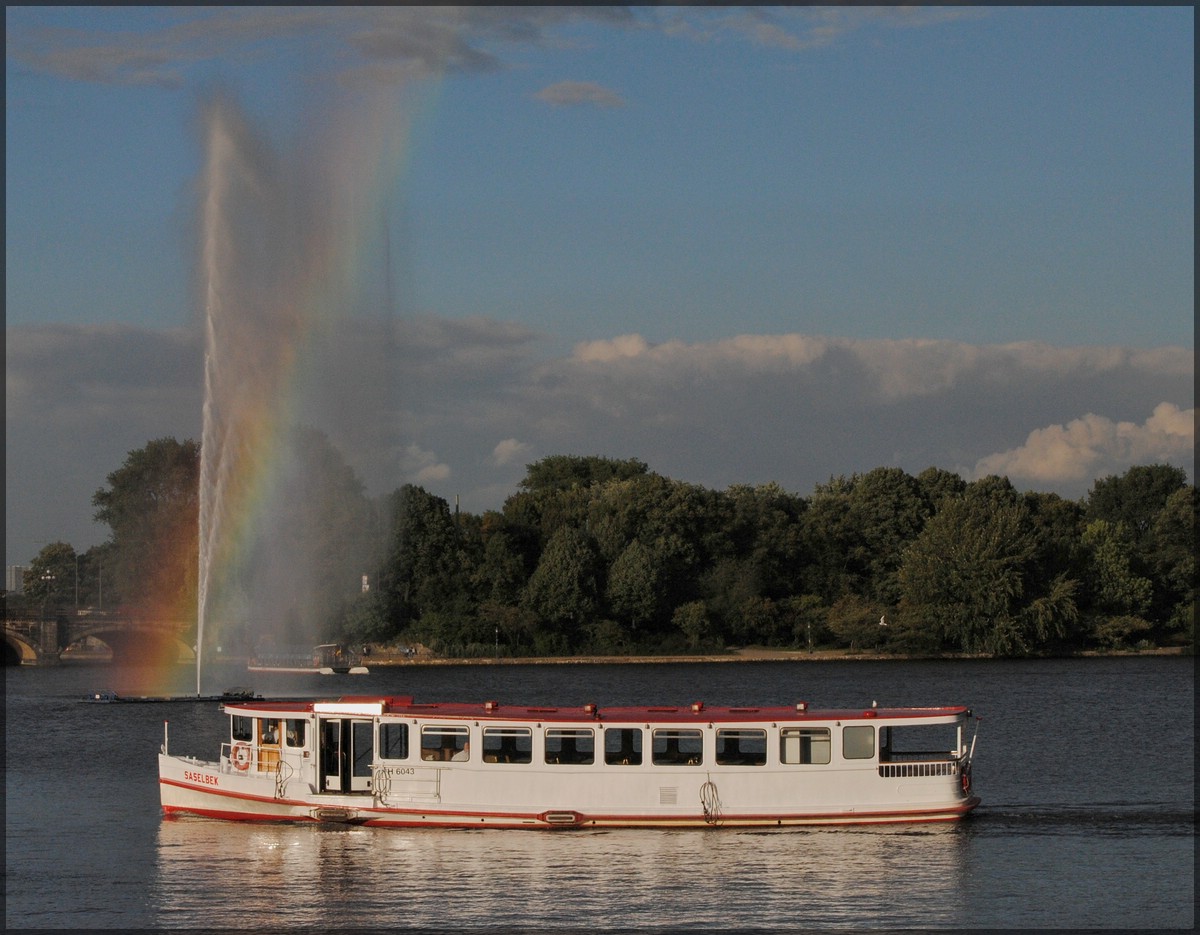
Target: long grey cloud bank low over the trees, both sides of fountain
(424, 401)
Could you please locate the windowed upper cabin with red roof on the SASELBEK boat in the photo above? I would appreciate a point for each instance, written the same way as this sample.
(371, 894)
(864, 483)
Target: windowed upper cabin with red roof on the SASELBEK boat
(358, 744)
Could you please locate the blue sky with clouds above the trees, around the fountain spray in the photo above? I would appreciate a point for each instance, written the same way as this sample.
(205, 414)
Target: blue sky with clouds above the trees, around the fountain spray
(596, 209)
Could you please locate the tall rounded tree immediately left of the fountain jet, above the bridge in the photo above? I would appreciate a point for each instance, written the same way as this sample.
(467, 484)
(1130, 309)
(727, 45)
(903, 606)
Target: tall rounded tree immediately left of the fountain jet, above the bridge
(152, 505)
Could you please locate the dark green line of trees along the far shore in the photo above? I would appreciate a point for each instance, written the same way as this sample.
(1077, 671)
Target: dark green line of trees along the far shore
(603, 556)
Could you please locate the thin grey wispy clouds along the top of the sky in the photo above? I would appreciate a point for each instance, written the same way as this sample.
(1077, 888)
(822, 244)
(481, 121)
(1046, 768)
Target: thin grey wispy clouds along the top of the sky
(391, 45)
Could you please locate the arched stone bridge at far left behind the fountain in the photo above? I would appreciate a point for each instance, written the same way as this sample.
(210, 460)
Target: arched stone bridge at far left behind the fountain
(45, 642)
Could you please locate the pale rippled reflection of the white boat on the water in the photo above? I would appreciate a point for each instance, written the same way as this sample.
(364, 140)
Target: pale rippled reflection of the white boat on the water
(517, 883)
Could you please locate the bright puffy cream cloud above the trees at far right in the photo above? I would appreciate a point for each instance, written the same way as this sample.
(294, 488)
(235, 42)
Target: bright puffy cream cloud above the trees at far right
(1095, 446)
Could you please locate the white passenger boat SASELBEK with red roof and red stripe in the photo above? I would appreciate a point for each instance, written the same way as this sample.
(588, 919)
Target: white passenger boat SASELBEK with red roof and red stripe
(392, 762)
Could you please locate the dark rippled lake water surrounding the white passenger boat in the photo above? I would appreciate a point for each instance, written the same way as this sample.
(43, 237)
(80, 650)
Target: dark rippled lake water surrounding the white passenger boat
(1085, 769)
